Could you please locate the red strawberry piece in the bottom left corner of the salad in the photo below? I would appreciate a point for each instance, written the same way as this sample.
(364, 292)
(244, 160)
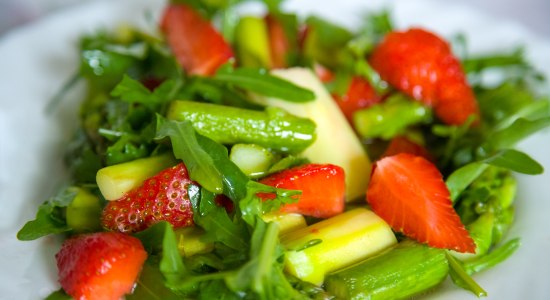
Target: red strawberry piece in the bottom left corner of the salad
(101, 265)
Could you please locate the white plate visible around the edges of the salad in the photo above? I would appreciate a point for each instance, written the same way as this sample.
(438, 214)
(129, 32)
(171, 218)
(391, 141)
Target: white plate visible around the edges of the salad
(36, 59)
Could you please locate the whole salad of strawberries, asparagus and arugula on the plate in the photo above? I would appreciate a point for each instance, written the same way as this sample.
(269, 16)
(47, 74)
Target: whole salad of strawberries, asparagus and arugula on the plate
(286, 125)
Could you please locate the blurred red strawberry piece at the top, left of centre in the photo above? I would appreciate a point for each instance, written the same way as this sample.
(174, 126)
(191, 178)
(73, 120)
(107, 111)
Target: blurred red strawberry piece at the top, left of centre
(198, 47)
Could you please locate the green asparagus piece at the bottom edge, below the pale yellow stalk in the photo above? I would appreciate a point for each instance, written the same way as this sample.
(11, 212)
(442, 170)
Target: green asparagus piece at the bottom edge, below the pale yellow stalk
(405, 270)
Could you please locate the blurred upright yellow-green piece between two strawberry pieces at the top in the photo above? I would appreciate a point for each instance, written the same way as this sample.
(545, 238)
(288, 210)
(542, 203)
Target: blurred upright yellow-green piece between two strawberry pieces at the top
(252, 43)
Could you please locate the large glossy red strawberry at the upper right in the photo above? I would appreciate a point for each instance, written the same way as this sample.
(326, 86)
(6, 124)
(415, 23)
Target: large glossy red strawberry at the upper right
(421, 64)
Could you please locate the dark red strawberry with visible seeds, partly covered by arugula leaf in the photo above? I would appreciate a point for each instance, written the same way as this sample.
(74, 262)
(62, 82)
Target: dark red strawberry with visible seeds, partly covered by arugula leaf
(162, 197)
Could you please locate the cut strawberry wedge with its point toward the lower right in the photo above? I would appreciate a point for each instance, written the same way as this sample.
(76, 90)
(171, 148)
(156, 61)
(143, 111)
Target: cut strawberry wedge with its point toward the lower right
(408, 192)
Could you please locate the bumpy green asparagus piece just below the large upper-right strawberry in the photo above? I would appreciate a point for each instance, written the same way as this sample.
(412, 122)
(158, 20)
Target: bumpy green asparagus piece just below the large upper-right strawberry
(390, 118)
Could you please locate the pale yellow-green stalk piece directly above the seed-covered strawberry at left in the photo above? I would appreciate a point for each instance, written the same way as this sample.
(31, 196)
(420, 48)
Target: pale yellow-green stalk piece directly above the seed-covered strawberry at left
(116, 180)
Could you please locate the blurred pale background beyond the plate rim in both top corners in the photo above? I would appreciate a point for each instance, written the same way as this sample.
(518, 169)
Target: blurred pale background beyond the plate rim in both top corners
(533, 14)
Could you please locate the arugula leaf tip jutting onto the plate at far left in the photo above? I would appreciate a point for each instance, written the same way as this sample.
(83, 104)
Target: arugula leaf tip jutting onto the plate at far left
(49, 218)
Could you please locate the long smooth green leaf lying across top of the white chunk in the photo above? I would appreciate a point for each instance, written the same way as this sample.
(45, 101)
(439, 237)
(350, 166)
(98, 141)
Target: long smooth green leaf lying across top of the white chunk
(261, 82)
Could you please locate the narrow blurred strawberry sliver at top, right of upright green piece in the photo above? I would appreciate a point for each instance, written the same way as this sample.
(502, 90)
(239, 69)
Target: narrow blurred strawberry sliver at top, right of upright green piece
(278, 42)
